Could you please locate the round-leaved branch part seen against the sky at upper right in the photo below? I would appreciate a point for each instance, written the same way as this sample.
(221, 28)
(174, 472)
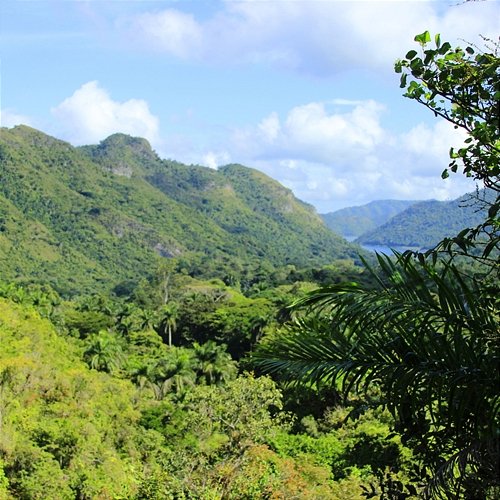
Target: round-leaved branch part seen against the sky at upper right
(463, 87)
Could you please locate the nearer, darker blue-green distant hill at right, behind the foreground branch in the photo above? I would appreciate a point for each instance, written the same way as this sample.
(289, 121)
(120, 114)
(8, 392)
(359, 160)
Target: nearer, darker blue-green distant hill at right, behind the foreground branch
(424, 224)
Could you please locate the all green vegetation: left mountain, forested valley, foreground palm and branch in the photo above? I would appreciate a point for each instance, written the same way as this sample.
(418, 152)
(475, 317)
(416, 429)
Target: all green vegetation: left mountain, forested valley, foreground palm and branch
(175, 332)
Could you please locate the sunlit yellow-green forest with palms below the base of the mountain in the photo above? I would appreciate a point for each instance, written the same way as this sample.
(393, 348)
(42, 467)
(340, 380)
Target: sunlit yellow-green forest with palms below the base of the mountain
(117, 413)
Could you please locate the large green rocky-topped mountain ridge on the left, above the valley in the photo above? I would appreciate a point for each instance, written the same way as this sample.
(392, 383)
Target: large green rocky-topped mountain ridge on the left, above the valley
(89, 218)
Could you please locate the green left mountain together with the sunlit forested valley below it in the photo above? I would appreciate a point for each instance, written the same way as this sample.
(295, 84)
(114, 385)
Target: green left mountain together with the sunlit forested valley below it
(133, 292)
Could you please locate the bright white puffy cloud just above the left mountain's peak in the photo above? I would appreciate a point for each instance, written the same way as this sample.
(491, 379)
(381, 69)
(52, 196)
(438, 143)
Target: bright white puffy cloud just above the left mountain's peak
(90, 115)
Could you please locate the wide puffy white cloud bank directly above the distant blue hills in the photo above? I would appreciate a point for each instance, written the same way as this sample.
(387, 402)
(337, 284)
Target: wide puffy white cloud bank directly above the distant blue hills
(333, 157)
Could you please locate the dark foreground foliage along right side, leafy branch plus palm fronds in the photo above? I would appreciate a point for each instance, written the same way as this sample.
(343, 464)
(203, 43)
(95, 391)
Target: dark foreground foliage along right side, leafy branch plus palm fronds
(426, 338)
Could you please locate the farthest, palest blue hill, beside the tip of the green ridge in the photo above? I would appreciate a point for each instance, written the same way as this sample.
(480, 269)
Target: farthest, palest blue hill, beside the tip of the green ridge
(354, 221)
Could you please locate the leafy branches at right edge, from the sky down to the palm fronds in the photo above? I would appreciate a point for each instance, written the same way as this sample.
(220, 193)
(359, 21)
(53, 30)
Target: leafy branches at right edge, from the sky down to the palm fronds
(463, 87)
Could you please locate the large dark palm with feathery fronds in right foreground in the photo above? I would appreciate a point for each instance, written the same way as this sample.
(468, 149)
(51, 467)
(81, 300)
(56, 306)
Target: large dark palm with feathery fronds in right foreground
(428, 337)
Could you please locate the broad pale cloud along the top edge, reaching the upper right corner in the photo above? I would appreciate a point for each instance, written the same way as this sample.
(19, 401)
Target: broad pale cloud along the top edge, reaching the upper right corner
(314, 37)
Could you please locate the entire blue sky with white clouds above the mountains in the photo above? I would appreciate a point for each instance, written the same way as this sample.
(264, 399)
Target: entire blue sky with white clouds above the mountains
(303, 90)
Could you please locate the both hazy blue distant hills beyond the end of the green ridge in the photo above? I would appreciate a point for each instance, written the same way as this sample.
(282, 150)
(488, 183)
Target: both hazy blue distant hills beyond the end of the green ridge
(412, 224)
